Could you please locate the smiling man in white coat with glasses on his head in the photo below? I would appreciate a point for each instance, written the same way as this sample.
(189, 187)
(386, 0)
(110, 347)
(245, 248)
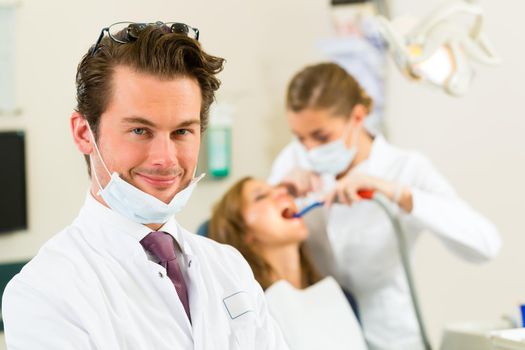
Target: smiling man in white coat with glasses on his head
(125, 274)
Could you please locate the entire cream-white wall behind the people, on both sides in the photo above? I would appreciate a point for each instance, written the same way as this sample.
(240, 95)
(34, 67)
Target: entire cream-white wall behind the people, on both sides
(476, 141)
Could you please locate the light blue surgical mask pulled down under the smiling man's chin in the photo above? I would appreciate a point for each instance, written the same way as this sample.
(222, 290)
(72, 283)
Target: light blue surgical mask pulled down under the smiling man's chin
(135, 204)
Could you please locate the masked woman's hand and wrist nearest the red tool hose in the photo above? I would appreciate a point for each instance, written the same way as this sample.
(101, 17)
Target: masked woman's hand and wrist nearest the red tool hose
(346, 190)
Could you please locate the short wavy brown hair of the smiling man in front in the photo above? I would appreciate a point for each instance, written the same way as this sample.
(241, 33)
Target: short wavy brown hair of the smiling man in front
(155, 52)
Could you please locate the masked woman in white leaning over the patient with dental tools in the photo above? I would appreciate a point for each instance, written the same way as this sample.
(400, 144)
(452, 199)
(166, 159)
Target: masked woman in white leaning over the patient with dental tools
(335, 156)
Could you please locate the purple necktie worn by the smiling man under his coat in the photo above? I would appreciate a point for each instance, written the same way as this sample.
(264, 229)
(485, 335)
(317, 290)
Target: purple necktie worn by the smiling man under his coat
(162, 246)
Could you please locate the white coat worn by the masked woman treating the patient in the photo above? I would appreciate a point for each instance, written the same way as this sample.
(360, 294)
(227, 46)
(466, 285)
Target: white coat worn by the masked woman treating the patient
(363, 244)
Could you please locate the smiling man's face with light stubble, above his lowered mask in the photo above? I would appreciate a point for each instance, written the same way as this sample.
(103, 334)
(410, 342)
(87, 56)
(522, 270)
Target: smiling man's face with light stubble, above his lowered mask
(150, 133)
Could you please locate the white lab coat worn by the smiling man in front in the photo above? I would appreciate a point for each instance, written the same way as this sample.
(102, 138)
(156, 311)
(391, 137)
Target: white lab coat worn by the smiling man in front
(92, 286)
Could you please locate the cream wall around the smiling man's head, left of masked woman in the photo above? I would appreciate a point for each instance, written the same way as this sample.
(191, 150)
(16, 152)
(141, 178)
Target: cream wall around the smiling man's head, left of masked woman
(255, 42)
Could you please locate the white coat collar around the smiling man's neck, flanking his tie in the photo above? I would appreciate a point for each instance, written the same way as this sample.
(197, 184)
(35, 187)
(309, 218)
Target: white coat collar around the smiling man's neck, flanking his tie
(95, 215)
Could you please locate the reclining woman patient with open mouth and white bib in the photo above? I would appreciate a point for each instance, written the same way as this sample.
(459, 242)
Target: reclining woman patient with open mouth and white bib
(255, 218)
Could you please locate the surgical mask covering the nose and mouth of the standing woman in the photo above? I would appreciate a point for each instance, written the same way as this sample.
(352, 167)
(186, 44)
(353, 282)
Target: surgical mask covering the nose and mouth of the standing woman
(332, 158)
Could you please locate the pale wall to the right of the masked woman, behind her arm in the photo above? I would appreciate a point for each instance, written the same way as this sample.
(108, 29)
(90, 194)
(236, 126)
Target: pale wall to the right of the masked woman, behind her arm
(477, 142)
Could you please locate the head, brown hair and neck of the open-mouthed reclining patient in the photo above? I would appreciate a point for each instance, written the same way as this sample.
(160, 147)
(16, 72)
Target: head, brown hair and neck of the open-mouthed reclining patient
(250, 218)
